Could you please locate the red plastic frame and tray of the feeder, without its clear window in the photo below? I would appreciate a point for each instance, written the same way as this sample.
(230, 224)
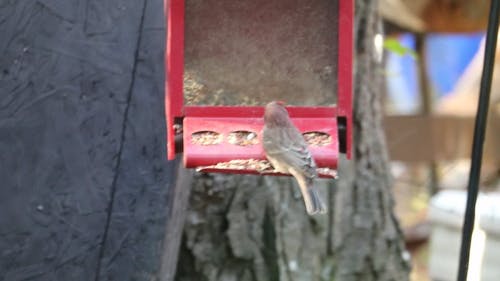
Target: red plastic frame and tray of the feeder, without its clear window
(229, 138)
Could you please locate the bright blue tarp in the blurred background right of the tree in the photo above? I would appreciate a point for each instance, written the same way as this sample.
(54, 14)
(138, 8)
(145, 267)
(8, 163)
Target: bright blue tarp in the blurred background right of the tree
(447, 55)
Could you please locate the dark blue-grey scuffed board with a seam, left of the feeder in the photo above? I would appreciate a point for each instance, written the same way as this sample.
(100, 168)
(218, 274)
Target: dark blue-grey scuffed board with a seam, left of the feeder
(84, 178)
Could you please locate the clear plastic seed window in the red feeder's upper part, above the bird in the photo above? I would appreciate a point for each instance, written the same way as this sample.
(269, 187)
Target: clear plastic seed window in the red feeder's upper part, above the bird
(253, 52)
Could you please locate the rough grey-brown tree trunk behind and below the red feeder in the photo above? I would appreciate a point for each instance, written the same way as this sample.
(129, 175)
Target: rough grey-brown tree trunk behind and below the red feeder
(255, 228)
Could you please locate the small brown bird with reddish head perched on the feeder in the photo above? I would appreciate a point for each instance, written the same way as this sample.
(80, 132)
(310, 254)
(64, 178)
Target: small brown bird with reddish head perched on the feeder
(287, 151)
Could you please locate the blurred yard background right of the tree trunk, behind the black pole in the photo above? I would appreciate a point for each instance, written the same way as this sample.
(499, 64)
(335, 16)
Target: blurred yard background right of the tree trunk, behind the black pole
(433, 63)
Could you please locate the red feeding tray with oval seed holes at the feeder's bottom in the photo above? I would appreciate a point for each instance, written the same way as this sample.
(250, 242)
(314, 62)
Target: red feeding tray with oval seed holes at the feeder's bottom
(229, 139)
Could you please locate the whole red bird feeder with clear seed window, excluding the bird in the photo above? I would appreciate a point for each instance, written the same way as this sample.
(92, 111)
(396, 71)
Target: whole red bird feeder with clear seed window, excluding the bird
(266, 47)
